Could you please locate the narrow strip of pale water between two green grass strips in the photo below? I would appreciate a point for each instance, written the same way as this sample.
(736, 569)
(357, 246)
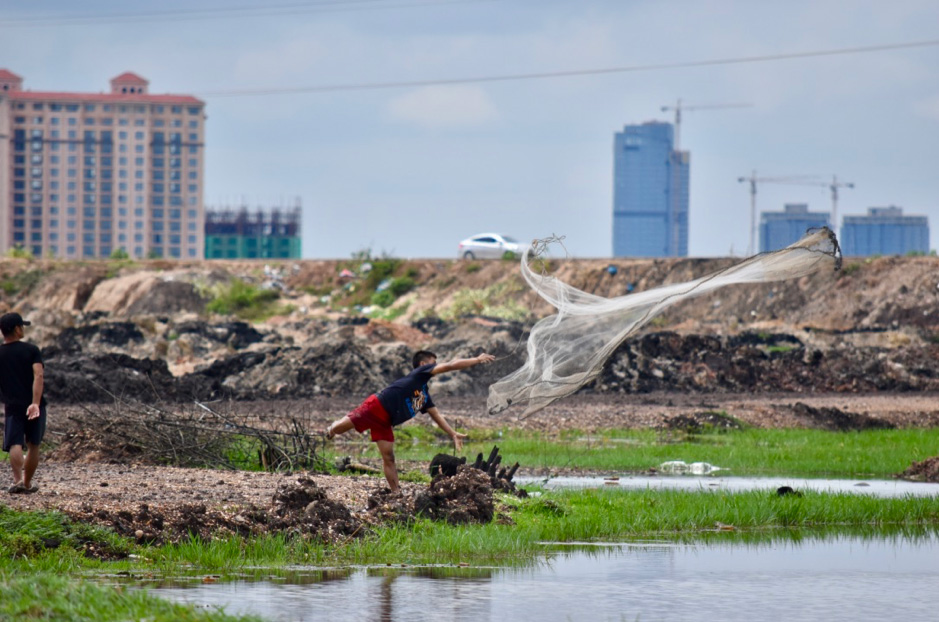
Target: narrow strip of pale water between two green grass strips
(878, 488)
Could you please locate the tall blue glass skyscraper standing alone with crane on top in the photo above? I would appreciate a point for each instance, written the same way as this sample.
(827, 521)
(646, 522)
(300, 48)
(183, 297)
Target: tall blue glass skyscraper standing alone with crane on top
(650, 192)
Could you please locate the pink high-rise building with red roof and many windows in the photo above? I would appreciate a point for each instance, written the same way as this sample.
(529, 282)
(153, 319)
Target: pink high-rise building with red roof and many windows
(83, 175)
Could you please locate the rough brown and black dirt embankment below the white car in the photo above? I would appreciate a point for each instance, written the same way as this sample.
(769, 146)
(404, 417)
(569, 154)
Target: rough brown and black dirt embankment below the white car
(133, 329)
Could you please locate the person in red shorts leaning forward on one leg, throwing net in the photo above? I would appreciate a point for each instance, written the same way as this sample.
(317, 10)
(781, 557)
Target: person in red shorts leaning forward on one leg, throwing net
(400, 402)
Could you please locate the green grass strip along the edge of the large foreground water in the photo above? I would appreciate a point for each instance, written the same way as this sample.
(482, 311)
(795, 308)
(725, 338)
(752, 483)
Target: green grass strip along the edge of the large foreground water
(565, 516)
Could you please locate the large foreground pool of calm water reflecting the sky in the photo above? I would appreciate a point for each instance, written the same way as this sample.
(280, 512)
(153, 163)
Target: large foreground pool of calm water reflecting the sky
(829, 578)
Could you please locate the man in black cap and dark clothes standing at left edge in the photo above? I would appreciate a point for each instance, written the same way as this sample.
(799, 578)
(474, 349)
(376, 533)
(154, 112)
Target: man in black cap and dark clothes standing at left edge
(21, 377)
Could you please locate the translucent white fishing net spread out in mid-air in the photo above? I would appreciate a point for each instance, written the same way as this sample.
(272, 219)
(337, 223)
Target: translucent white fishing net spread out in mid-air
(568, 350)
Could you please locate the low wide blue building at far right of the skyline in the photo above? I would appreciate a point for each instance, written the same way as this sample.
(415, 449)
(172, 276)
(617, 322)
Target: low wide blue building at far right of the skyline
(884, 231)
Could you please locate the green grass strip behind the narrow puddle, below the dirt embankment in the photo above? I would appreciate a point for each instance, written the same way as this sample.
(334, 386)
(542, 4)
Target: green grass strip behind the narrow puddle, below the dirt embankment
(753, 452)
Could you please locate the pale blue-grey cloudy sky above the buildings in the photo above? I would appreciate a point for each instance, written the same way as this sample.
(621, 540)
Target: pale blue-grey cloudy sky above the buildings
(411, 170)
